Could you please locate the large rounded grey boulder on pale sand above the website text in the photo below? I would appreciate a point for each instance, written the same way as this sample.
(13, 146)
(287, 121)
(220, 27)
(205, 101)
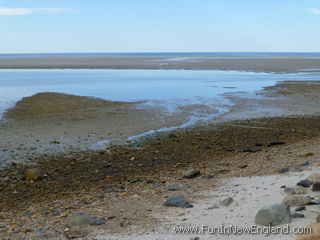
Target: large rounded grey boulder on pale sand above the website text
(273, 215)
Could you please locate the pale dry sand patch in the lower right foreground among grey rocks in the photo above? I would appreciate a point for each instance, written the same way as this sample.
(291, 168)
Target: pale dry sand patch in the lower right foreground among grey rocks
(248, 193)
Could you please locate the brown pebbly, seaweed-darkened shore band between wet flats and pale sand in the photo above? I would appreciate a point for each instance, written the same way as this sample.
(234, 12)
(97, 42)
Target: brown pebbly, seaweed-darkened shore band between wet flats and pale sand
(125, 186)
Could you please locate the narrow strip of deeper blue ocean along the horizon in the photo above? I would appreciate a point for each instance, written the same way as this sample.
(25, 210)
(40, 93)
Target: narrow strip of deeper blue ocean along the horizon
(167, 54)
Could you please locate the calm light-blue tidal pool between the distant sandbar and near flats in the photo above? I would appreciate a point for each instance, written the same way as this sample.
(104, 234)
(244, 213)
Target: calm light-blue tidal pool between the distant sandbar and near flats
(168, 88)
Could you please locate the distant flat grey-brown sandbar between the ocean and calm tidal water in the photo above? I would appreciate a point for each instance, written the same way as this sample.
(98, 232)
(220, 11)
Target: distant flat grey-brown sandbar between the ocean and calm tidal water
(255, 64)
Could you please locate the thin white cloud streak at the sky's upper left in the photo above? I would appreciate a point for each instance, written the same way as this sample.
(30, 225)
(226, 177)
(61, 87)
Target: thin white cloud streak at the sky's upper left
(26, 11)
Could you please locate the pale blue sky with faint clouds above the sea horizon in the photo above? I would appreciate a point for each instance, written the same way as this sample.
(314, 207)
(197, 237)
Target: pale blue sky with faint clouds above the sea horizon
(56, 26)
